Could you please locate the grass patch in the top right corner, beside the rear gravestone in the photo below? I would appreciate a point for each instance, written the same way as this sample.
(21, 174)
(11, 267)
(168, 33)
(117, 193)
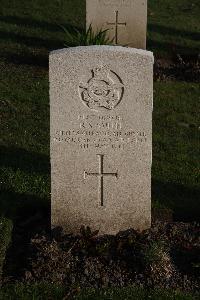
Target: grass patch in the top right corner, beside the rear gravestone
(173, 26)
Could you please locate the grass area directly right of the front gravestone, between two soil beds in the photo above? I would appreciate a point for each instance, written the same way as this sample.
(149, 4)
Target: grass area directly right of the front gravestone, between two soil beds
(176, 152)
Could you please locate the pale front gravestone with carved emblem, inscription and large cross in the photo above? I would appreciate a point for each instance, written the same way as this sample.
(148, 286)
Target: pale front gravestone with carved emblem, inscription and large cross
(101, 144)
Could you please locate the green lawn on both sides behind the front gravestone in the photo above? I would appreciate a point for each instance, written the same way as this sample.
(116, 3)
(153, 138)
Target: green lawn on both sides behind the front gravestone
(28, 31)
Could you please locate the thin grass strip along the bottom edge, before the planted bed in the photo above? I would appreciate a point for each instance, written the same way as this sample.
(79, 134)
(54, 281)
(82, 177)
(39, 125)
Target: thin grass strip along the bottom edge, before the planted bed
(56, 292)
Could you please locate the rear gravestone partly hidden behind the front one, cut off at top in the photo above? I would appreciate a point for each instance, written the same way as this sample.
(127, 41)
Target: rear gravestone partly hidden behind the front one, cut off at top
(126, 20)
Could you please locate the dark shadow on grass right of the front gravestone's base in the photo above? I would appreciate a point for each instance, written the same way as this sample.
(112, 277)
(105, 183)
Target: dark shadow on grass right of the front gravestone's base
(184, 201)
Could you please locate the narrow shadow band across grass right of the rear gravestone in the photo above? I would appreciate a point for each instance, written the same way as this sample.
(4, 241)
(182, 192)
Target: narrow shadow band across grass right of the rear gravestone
(164, 30)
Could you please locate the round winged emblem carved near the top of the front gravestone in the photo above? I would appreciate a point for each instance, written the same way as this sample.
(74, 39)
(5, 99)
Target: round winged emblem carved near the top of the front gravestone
(105, 89)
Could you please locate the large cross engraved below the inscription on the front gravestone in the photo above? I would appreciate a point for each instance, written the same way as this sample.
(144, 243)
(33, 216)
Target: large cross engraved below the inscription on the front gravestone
(101, 175)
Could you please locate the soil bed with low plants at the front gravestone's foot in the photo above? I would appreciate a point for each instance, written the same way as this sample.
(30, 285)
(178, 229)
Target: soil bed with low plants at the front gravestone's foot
(166, 256)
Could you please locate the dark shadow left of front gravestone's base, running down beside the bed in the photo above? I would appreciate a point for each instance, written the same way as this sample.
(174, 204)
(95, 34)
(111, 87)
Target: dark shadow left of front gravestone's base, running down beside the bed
(30, 216)
